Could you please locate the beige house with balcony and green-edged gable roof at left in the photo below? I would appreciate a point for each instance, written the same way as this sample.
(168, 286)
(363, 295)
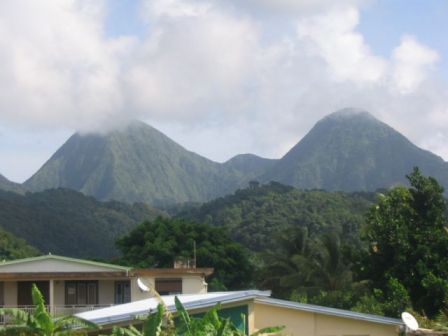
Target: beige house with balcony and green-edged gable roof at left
(72, 285)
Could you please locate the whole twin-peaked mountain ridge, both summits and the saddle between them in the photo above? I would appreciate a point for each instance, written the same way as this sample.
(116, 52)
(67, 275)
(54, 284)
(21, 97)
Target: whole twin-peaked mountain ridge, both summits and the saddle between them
(348, 150)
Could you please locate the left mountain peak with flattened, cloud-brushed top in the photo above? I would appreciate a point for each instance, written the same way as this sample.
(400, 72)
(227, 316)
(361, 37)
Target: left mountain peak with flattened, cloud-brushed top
(137, 163)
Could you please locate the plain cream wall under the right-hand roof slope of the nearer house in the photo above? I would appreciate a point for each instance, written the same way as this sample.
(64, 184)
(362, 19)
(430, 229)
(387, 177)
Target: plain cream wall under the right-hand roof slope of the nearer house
(300, 323)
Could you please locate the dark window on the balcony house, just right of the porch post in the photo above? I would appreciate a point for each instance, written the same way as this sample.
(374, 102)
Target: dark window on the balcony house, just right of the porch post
(81, 292)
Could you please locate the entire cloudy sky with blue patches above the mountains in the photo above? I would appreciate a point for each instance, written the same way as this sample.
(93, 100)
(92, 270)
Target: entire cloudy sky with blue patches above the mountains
(219, 77)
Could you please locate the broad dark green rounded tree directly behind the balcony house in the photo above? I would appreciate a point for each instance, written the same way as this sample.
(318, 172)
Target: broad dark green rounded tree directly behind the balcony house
(157, 243)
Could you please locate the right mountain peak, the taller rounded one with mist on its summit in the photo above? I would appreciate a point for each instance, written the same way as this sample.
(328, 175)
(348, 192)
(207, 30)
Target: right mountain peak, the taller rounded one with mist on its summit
(350, 150)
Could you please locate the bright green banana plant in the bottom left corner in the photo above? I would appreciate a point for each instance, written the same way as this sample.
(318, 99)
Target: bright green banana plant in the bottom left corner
(40, 322)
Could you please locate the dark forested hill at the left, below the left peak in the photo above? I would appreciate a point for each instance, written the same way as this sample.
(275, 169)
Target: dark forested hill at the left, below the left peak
(66, 222)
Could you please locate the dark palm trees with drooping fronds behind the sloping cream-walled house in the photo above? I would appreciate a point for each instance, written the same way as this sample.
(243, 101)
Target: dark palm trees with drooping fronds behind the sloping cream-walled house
(312, 270)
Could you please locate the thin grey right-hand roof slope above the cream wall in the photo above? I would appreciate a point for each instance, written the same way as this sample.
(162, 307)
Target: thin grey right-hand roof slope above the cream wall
(329, 311)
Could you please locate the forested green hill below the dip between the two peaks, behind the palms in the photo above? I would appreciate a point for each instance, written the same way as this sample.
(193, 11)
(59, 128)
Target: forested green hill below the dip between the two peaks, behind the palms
(255, 215)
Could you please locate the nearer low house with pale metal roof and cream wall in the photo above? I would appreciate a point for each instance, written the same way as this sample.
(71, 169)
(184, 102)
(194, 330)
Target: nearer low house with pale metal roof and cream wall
(260, 310)
